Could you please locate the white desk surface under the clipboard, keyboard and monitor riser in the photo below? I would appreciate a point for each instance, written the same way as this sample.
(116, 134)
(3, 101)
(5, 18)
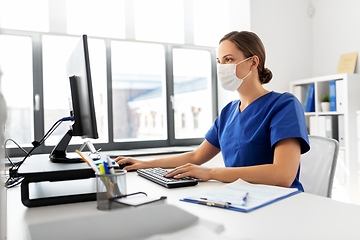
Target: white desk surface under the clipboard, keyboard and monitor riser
(302, 216)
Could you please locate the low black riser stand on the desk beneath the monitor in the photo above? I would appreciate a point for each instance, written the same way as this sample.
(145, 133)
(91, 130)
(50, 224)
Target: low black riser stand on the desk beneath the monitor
(47, 183)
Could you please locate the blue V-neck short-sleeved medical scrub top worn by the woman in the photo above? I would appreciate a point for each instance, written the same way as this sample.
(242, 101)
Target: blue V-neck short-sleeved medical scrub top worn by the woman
(248, 138)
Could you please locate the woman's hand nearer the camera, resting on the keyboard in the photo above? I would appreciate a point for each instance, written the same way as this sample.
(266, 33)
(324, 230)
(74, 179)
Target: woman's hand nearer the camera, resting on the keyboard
(190, 170)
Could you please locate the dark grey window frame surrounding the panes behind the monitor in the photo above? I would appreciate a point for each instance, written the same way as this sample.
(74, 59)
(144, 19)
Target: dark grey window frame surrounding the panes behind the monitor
(38, 89)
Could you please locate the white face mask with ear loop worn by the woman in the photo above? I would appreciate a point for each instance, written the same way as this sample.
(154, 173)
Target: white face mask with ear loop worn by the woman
(227, 76)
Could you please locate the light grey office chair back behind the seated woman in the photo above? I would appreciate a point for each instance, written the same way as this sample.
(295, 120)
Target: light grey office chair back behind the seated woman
(317, 166)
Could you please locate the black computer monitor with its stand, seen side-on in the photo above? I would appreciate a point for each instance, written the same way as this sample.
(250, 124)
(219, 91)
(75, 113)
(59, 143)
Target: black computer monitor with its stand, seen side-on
(78, 71)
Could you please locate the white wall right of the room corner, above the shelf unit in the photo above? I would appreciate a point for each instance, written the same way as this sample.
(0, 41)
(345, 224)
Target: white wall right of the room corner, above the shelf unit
(335, 32)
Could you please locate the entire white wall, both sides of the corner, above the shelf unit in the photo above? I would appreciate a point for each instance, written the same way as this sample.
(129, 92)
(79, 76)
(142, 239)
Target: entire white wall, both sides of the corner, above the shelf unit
(300, 46)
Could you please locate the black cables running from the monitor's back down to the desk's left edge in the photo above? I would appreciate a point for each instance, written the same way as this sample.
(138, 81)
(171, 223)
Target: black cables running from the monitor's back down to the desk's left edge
(14, 179)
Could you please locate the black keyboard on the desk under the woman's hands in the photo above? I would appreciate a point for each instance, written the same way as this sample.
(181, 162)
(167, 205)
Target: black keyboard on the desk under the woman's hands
(157, 175)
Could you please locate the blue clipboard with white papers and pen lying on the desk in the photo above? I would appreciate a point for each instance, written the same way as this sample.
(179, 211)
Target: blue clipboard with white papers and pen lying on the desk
(231, 196)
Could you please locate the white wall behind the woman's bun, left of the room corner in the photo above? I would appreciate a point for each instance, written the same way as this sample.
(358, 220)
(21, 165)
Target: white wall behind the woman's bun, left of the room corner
(285, 29)
